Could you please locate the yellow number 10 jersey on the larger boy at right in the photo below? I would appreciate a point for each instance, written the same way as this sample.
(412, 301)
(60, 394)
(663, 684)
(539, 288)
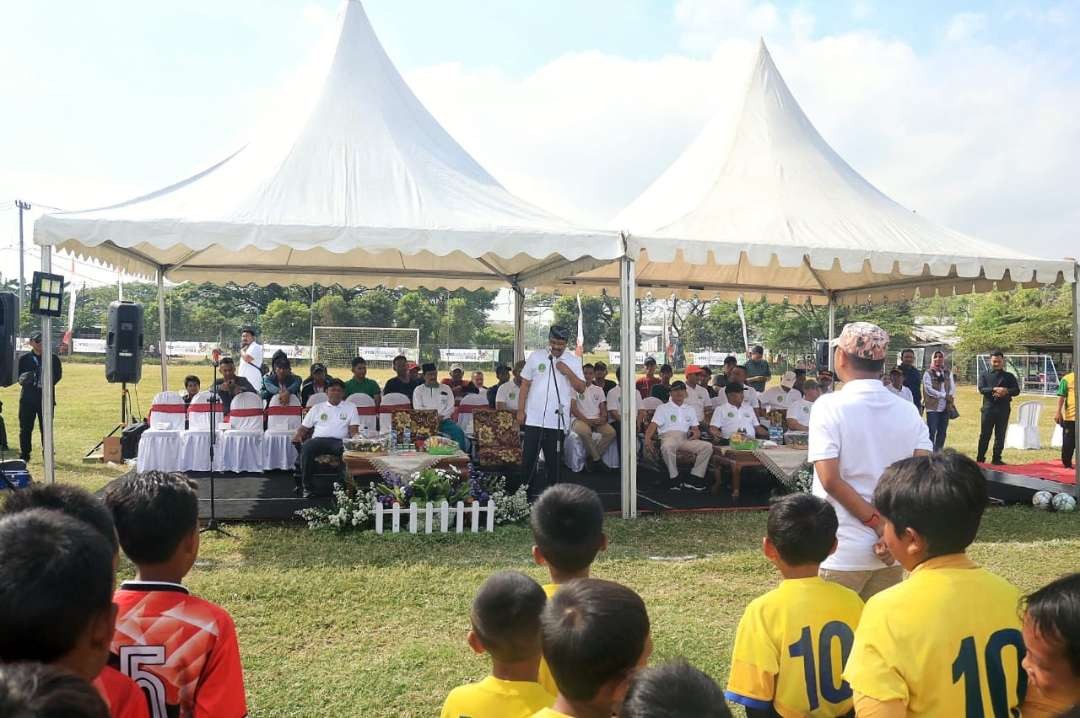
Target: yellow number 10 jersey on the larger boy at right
(946, 643)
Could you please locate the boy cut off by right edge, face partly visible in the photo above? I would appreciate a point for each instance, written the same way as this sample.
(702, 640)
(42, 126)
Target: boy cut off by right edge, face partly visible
(1052, 639)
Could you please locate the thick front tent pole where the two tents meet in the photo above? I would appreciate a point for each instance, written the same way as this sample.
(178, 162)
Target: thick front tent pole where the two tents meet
(628, 354)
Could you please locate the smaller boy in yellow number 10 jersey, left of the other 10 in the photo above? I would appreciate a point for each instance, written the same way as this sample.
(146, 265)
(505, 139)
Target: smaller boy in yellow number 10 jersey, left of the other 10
(792, 643)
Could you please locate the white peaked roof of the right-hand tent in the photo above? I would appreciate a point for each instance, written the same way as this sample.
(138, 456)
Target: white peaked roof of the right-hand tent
(761, 202)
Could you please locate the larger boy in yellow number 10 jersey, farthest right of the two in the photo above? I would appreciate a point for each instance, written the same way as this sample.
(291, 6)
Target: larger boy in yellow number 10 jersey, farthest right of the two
(948, 641)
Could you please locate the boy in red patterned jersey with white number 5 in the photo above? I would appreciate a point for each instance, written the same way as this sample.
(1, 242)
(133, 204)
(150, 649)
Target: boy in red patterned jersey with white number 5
(181, 649)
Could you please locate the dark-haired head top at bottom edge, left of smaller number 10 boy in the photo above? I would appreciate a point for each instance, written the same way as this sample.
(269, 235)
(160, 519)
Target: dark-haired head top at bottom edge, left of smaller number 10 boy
(674, 690)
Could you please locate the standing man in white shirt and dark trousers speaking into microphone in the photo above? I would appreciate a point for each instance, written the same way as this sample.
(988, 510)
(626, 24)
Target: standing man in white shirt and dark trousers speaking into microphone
(549, 380)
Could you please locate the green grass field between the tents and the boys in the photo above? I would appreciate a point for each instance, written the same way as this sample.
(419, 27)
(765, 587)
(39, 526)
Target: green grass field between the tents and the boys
(367, 626)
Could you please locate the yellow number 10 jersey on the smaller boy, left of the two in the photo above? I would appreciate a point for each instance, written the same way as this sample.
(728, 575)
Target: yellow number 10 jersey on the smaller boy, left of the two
(790, 651)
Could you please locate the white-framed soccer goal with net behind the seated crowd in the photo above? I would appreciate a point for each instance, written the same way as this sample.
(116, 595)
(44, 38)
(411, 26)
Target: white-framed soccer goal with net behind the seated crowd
(337, 346)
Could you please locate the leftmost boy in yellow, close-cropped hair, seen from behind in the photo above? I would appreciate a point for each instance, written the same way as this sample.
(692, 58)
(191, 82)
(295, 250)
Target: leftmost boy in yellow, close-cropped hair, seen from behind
(506, 625)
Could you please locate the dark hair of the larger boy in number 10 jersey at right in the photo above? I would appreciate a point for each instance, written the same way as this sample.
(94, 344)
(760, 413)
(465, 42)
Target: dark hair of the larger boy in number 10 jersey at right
(941, 496)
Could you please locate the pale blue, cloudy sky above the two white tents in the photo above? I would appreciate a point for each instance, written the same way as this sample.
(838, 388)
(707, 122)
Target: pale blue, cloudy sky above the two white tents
(963, 111)
